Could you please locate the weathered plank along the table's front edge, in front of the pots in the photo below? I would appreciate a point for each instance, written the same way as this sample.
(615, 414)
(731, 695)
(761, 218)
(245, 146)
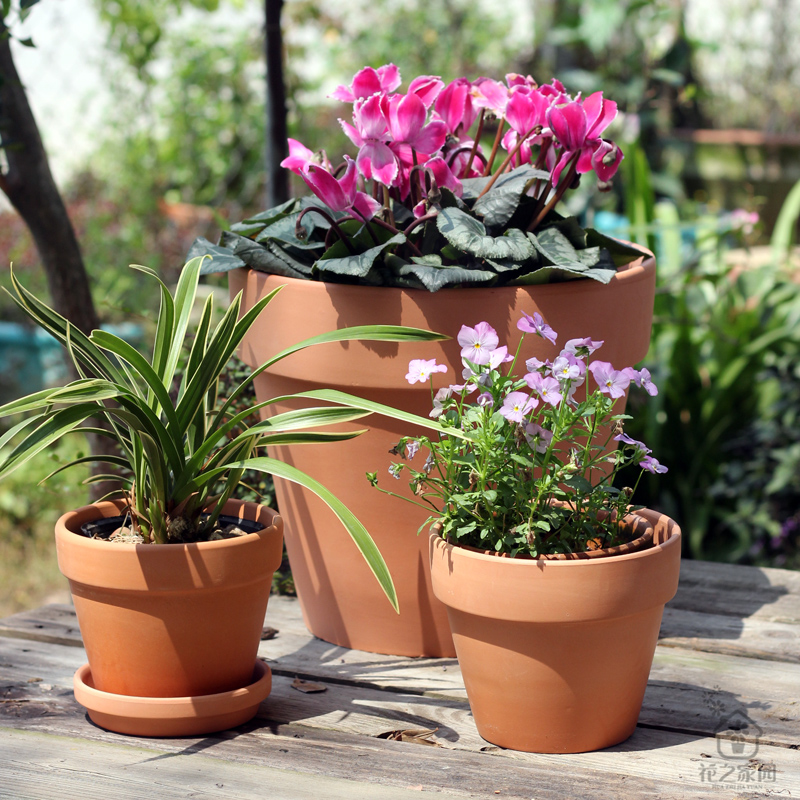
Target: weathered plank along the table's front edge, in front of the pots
(652, 764)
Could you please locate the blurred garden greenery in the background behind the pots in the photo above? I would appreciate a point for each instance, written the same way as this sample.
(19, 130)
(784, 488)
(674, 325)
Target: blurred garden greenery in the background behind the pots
(179, 153)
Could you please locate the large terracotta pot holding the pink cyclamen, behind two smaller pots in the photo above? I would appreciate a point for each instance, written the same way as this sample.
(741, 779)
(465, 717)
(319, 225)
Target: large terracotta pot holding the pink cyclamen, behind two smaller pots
(341, 600)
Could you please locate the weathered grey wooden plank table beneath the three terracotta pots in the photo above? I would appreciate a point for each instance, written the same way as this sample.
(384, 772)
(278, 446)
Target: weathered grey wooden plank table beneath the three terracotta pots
(728, 656)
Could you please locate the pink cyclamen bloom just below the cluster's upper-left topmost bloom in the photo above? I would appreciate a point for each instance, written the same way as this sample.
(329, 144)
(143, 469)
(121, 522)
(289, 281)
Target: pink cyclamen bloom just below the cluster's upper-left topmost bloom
(370, 133)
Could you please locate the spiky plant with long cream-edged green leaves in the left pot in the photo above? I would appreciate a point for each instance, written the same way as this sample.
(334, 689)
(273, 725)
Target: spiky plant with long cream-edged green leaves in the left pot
(177, 443)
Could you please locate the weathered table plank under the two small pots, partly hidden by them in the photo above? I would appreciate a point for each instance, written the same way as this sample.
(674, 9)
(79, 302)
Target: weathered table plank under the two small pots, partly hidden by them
(688, 692)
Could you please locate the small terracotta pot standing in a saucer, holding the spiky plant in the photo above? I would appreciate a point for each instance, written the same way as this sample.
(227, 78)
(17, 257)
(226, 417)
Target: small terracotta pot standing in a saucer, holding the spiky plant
(174, 620)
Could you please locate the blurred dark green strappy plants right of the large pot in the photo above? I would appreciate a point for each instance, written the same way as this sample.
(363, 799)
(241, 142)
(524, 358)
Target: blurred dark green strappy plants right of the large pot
(720, 336)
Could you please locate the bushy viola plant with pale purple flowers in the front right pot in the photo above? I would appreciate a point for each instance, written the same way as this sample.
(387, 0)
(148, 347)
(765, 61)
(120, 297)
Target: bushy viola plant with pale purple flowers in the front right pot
(531, 464)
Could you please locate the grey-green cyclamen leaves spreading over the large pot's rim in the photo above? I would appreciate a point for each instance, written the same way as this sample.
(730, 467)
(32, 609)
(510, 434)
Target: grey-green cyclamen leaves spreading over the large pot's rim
(452, 247)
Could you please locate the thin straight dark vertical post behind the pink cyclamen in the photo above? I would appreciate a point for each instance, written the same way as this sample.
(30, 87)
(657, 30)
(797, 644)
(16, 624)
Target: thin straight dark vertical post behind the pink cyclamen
(276, 147)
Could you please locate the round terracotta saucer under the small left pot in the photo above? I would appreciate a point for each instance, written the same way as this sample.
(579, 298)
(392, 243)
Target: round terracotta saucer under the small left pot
(172, 716)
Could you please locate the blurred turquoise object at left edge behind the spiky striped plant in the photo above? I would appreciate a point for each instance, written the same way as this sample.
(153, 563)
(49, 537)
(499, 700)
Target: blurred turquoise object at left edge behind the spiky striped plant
(32, 360)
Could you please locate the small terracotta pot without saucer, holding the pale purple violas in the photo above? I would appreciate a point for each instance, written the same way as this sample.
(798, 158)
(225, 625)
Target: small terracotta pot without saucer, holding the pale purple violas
(556, 653)
